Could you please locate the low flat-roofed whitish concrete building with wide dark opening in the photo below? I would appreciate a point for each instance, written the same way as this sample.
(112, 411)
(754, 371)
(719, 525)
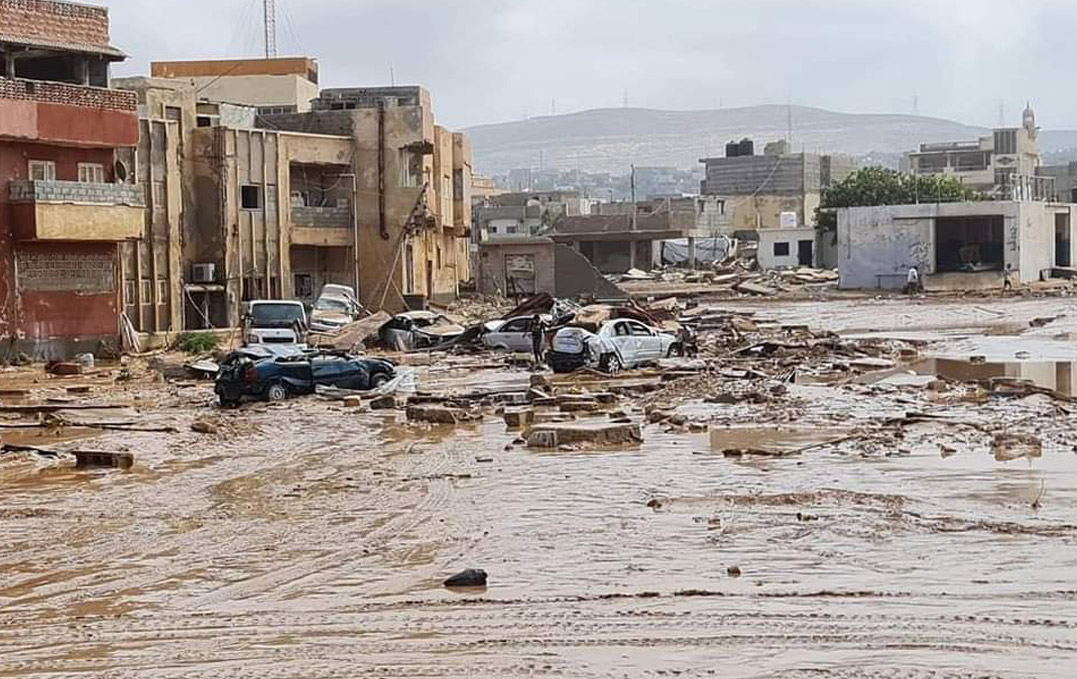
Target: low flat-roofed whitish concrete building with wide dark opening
(956, 246)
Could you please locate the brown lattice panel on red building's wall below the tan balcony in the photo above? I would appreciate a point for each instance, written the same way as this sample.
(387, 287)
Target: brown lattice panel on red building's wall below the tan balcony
(65, 272)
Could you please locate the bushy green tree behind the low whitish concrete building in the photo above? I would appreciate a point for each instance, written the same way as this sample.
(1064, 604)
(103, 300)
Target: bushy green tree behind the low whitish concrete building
(878, 186)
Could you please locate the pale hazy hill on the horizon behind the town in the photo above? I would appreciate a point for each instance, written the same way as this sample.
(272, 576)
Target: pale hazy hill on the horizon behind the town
(609, 141)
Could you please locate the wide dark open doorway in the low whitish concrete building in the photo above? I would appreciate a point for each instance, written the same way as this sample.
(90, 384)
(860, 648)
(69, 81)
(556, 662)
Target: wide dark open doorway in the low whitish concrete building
(970, 244)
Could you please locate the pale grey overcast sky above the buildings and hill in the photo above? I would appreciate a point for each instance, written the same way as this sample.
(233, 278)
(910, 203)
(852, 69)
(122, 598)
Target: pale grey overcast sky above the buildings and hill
(494, 61)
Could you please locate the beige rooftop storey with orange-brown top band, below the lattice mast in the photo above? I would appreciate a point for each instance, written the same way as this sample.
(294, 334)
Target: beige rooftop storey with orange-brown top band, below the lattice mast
(278, 86)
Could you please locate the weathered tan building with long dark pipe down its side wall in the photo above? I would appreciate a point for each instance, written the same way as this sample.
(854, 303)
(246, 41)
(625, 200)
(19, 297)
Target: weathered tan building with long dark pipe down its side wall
(413, 242)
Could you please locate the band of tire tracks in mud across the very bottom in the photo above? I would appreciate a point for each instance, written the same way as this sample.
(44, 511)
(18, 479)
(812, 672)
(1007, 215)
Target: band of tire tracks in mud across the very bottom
(508, 640)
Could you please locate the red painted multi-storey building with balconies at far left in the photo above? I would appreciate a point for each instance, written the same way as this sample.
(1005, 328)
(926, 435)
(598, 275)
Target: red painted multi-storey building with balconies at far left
(65, 203)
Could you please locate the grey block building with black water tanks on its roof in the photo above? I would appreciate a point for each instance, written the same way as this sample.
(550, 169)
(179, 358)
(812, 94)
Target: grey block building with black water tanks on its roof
(776, 190)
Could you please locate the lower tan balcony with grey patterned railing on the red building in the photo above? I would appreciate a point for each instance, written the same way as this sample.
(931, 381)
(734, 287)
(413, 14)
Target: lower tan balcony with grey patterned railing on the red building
(79, 212)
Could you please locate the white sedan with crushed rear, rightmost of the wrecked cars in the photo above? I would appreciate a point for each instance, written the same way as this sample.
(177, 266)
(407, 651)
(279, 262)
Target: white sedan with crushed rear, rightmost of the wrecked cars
(620, 344)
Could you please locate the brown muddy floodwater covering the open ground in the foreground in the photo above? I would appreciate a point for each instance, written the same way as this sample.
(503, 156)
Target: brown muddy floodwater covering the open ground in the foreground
(309, 541)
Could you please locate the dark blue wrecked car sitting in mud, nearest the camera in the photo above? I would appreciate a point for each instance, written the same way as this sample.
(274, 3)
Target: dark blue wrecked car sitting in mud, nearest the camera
(279, 373)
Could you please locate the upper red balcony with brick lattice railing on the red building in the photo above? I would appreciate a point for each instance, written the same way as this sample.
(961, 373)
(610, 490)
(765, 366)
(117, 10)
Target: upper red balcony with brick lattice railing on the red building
(66, 115)
